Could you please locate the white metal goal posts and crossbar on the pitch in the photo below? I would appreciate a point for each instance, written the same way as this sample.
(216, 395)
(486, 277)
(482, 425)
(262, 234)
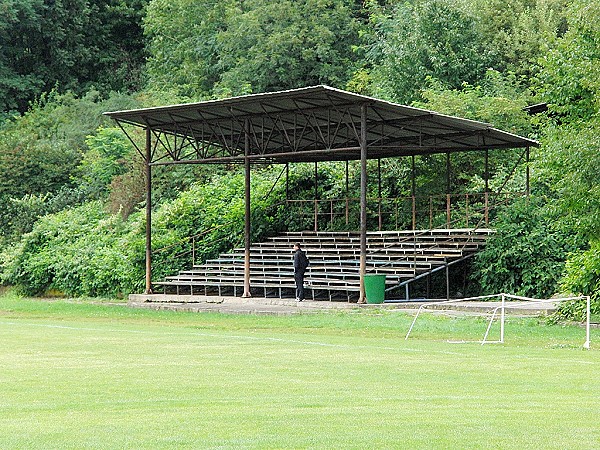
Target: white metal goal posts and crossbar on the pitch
(500, 310)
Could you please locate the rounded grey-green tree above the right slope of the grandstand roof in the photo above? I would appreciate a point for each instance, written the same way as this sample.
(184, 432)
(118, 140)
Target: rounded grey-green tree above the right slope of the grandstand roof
(421, 40)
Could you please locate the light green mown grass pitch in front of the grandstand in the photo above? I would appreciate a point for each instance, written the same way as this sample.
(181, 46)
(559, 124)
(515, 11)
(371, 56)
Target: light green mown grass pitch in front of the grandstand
(80, 375)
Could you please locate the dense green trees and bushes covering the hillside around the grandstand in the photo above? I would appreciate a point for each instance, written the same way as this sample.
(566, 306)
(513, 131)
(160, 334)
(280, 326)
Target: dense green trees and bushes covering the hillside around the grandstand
(71, 186)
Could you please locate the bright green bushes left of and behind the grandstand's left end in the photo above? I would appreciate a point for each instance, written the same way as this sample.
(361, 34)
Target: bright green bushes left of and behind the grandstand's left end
(86, 251)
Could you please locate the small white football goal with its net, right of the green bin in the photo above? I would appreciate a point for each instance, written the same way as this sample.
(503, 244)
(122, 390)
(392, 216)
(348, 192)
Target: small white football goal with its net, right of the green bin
(498, 305)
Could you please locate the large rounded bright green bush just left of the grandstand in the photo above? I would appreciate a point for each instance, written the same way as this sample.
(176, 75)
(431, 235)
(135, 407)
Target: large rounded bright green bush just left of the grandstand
(76, 251)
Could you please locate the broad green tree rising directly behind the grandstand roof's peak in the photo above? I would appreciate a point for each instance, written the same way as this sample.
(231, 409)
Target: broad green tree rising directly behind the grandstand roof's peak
(286, 44)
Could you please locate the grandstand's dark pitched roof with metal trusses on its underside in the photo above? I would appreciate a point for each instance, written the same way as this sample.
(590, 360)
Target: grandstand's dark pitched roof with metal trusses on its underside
(310, 124)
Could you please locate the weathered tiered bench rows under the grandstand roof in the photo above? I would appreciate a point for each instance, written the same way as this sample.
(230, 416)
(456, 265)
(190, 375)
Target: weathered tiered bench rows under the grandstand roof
(334, 262)
